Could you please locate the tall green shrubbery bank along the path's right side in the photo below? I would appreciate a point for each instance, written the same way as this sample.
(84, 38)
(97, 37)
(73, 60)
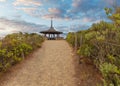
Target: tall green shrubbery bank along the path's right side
(101, 44)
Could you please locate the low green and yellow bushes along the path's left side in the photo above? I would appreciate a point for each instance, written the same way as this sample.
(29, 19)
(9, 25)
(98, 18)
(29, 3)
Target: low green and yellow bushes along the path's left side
(14, 48)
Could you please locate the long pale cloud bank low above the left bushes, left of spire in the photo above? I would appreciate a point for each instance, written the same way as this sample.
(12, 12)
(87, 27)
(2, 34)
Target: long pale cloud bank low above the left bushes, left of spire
(11, 26)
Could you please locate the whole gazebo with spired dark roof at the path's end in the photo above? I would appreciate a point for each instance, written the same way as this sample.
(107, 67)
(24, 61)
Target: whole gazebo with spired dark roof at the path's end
(51, 34)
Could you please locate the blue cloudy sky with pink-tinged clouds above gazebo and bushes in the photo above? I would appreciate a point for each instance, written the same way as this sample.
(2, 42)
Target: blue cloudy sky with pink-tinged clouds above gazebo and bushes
(34, 15)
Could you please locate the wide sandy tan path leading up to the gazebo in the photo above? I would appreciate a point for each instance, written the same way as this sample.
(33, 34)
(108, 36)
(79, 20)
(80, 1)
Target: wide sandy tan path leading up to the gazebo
(52, 65)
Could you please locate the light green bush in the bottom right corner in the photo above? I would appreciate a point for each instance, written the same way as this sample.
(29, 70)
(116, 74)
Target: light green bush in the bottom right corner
(111, 74)
